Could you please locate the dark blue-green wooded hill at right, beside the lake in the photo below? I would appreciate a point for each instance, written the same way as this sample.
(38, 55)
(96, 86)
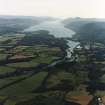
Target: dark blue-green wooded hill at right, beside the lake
(91, 33)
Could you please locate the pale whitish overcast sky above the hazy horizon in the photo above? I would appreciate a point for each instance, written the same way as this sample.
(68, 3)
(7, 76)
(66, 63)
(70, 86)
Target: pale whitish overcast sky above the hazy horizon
(54, 8)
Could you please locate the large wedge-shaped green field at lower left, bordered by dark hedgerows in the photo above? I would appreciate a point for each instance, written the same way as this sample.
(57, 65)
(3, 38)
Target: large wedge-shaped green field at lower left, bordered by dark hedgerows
(26, 86)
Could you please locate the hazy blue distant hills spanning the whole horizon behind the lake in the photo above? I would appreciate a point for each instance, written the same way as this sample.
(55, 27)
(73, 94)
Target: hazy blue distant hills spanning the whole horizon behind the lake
(16, 24)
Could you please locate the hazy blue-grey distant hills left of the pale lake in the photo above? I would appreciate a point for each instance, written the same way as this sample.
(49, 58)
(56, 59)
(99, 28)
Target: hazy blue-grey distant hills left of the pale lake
(17, 24)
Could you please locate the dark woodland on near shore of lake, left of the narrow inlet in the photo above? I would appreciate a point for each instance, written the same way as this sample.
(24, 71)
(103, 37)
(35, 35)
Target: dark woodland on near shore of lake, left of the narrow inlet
(43, 38)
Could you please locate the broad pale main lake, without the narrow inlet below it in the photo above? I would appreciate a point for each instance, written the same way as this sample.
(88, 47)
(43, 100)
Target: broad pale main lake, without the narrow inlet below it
(56, 28)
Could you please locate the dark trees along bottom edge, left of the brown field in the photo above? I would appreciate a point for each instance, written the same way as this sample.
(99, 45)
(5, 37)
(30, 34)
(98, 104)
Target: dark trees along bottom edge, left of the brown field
(51, 99)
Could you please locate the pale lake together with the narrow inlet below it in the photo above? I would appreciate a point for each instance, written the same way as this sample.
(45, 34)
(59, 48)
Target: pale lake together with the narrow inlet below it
(57, 29)
